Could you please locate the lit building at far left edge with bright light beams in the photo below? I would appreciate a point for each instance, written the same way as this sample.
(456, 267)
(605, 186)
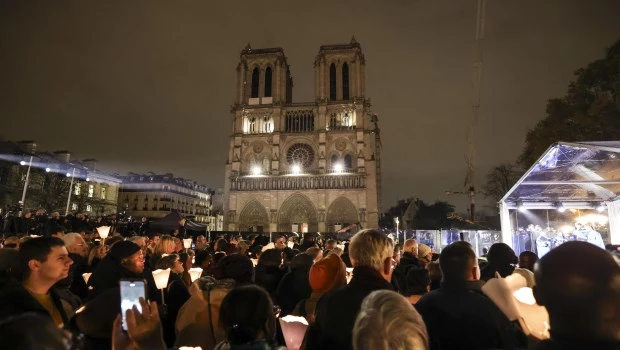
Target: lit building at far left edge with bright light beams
(54, 182)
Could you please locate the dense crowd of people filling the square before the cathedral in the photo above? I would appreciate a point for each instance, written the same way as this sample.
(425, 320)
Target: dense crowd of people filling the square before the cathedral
(61, 291)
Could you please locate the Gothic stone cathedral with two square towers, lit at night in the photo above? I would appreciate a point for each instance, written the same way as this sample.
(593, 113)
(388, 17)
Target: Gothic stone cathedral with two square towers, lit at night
(302, 167)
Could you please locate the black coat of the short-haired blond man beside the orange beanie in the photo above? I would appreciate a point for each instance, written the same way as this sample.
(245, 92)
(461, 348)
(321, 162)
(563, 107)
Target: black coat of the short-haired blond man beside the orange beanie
(336, 311)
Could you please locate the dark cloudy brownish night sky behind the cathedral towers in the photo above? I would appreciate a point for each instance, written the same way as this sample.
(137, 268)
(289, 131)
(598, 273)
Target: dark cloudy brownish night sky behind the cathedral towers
(147, 85)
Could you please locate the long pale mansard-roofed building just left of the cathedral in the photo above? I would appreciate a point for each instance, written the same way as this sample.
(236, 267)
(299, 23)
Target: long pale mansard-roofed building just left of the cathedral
(155, 196)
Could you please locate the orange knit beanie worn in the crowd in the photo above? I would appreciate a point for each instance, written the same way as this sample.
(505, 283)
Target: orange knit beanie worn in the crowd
(327, 274)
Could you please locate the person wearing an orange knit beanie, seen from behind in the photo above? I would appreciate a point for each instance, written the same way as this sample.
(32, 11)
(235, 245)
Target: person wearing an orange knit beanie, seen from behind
(326, 275)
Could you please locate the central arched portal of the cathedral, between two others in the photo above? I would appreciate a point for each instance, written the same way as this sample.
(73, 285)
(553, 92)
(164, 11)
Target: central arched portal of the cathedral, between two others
(297, 210)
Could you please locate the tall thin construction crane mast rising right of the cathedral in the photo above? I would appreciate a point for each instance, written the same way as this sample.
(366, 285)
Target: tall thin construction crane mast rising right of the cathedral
(472, 130)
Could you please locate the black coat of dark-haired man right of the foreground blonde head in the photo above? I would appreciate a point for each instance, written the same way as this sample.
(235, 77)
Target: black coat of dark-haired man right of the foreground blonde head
(459, 316)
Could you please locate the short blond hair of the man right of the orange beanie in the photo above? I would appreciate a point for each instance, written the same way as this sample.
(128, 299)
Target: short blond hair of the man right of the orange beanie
(370, 248)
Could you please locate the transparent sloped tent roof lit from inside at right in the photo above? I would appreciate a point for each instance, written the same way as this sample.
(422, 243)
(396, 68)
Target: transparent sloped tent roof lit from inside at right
(575, 174)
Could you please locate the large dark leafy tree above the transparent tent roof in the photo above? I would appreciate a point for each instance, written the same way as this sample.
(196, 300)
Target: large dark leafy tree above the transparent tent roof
(590, 111)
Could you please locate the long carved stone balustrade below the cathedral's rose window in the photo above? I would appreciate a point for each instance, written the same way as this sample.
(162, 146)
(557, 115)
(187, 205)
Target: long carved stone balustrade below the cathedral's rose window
(300, 182)
